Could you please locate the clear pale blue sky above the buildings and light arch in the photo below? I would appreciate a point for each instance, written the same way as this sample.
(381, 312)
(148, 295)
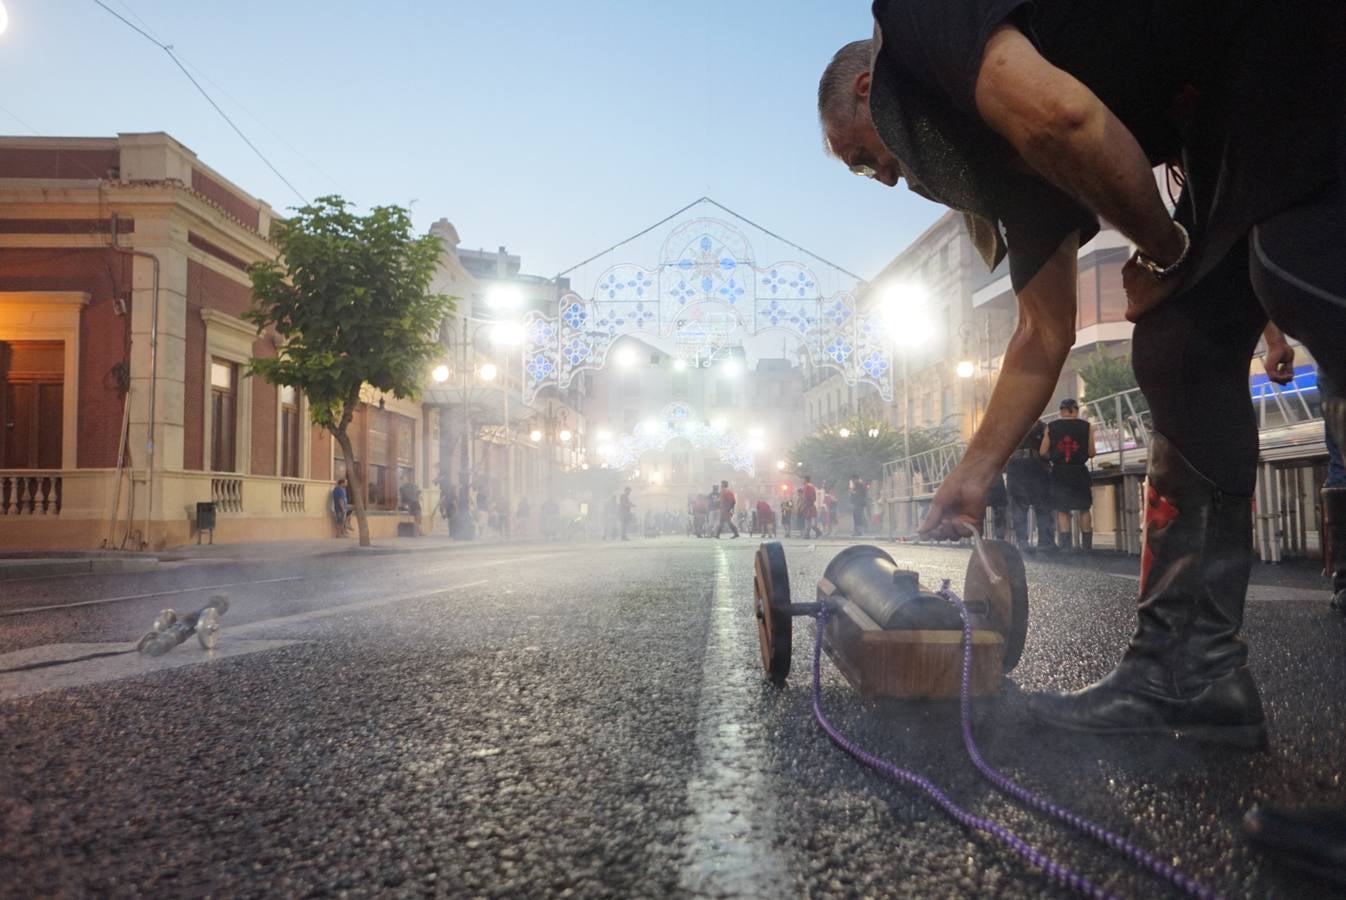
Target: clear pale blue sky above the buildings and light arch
(554, 128)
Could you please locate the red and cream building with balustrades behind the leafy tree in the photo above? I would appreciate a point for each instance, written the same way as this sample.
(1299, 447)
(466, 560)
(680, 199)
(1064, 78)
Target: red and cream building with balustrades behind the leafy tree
(123, 391)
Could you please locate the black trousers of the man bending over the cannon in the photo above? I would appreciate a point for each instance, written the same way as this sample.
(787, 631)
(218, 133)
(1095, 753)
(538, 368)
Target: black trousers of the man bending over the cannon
(1192, 353)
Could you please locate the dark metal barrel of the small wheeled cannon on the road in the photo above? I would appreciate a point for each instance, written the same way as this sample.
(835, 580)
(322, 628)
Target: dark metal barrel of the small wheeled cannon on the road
(889, 595)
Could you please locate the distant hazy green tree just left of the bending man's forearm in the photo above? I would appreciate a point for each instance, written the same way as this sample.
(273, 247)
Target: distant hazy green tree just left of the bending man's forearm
(831, 459)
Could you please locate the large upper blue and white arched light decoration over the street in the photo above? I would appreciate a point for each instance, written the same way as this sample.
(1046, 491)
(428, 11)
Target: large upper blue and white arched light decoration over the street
(707, 272)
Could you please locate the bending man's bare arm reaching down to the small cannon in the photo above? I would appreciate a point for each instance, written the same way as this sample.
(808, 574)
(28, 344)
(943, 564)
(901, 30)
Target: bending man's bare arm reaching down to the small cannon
(1033, 365)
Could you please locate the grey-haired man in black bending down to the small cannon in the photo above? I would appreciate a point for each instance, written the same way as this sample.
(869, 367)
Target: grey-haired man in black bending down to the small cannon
(1038, 118)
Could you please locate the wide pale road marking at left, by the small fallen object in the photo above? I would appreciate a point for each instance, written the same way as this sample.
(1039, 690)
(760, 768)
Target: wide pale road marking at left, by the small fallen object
(234, 642)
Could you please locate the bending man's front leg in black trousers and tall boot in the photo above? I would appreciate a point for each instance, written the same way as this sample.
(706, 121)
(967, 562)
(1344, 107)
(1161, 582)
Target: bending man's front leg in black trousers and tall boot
(1185, 669)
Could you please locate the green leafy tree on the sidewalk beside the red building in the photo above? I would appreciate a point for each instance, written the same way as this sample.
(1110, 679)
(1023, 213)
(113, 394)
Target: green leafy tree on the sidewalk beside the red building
(349, 297)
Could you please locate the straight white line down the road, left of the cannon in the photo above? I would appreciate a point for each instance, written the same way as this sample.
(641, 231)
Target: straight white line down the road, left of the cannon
(730, 832)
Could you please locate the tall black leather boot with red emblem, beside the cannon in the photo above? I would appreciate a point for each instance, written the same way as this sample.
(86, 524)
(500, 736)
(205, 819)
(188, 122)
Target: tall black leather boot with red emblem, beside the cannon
(1185, 671)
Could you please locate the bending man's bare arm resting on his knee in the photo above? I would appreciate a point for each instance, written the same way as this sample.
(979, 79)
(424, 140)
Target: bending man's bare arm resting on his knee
(1067, 135)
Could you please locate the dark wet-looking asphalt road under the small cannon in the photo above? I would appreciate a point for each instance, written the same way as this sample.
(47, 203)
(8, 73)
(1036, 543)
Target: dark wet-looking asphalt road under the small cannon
(590, 720)
